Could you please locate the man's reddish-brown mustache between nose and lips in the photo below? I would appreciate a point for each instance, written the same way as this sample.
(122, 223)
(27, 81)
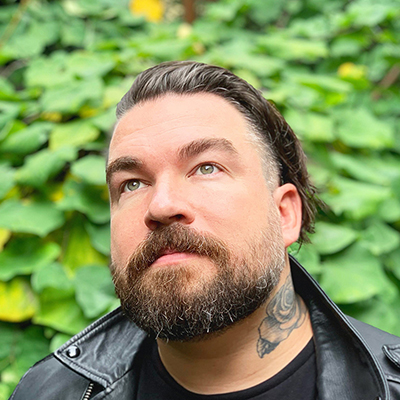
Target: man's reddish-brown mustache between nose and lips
(177, 238)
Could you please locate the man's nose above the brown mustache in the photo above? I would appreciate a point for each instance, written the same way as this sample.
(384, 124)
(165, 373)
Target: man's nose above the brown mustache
(169, 203)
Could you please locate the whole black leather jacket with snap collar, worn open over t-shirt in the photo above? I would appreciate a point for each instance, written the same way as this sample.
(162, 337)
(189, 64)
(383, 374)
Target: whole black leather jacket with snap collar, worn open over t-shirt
(354, 361)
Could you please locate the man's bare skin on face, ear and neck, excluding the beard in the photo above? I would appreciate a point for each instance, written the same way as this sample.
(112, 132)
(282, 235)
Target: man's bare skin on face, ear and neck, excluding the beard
(173, 188)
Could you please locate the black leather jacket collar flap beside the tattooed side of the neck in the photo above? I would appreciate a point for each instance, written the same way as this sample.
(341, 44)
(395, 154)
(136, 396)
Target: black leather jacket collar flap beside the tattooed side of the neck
(347, 369)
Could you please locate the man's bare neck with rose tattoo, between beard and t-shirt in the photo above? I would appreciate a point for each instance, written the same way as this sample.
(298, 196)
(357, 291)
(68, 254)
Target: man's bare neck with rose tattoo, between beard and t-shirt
(248, 353)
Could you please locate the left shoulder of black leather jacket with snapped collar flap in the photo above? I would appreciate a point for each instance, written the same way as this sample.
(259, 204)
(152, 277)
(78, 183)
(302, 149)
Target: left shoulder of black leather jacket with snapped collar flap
(83, 363)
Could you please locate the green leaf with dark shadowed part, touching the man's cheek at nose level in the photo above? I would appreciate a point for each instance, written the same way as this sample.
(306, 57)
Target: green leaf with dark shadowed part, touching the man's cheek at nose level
(92, 201)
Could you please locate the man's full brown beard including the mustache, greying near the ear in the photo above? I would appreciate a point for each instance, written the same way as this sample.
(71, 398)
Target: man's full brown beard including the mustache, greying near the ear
(180, 303)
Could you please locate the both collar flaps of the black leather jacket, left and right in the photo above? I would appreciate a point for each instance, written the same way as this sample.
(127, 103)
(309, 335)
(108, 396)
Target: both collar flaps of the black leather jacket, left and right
(347, 369)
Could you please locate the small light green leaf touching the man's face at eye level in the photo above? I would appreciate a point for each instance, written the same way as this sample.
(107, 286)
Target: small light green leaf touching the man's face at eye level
(91, 169)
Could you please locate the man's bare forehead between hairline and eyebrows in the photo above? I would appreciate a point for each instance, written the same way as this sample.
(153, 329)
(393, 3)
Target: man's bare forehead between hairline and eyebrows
(177, 119)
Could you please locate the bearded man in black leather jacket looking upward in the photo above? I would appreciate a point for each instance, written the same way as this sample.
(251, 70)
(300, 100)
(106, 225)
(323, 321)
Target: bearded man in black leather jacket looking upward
(208, 188)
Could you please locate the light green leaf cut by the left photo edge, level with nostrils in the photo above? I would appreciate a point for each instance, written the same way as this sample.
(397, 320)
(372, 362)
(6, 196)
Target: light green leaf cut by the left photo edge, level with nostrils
(38, 218)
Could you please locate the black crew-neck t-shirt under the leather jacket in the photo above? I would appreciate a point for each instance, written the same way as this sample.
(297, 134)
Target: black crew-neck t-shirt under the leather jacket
(297, 381)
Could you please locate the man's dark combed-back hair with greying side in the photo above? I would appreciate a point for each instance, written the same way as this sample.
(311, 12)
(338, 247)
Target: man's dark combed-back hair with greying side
(282, 149)
